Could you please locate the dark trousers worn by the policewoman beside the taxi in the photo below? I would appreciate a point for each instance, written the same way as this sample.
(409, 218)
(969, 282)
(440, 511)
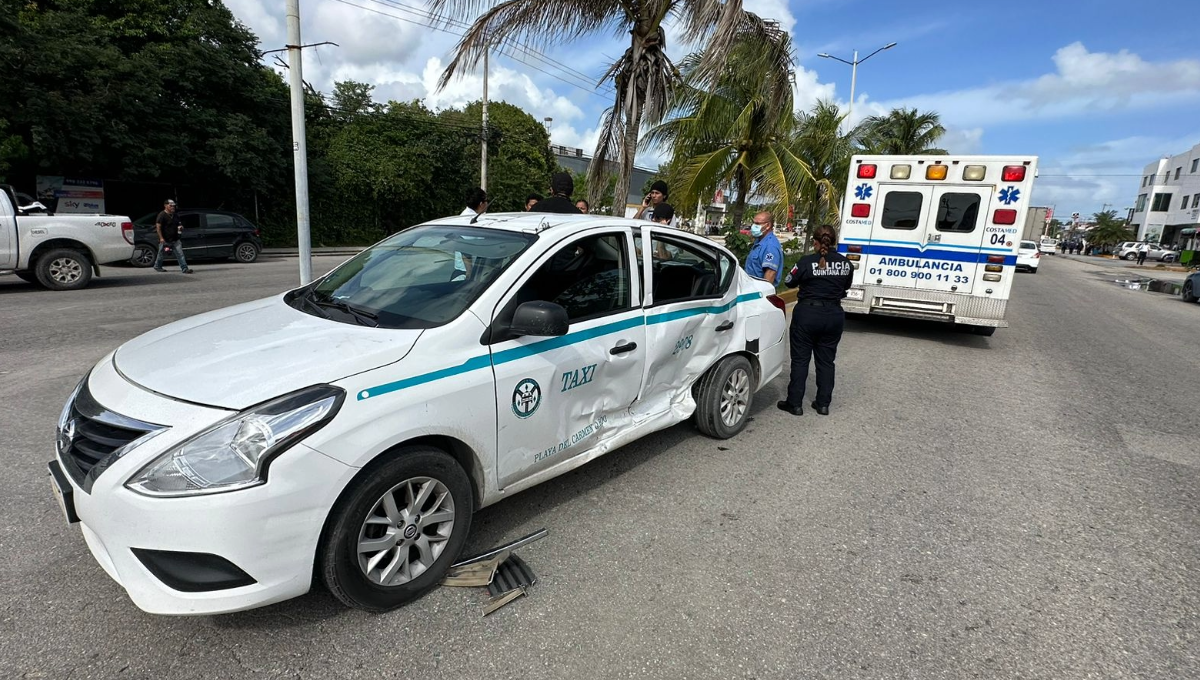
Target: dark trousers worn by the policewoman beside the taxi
(817, 333)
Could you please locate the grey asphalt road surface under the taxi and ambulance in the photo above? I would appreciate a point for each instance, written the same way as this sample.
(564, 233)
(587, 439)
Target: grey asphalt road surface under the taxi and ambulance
(1018, 507)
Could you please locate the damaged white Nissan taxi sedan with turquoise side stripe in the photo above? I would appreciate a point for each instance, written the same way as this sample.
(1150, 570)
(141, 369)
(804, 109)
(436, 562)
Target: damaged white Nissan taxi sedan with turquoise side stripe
(349, 430)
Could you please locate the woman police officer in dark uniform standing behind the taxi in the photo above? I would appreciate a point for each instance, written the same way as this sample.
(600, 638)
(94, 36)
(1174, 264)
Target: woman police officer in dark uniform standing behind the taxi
(818, 320)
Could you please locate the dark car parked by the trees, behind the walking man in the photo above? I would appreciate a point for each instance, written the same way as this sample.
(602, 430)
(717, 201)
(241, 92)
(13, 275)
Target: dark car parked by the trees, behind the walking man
(207, 234)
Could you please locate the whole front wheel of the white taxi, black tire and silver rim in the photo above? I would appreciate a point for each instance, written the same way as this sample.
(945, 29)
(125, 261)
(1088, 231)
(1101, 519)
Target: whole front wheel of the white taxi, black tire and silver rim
(403, 569)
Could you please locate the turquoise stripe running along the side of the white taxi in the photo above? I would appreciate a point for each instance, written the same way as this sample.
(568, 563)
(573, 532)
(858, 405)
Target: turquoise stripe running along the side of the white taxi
(549, 345)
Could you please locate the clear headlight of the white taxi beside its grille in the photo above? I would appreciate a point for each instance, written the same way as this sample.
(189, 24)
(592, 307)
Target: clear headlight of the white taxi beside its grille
(235, 454)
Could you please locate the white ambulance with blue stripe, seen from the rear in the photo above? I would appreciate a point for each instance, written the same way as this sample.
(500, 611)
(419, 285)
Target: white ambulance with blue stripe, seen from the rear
(935, 237)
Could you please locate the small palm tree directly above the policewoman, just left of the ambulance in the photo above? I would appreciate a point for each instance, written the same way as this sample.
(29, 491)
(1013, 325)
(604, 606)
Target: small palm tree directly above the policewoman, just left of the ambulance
(818, 141)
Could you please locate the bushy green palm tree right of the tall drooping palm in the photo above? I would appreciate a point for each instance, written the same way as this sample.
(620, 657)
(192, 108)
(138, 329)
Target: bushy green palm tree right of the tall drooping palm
(735, 134)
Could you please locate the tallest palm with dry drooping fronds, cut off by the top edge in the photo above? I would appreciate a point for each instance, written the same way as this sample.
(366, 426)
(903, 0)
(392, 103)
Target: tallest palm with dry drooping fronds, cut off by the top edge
(644, 77)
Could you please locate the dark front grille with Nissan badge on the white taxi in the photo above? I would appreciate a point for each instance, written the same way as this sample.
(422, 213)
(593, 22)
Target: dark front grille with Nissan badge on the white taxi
(92, 436)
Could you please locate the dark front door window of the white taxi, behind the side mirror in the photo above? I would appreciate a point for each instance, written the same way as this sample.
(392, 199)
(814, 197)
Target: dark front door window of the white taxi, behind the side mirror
(590, 278)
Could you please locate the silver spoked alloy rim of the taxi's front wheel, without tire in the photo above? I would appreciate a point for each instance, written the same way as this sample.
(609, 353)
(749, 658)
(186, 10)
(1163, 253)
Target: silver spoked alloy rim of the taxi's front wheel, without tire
(406, 532)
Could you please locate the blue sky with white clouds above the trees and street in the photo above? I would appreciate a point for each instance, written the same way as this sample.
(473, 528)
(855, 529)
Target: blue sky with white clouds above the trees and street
(1096, 89)
